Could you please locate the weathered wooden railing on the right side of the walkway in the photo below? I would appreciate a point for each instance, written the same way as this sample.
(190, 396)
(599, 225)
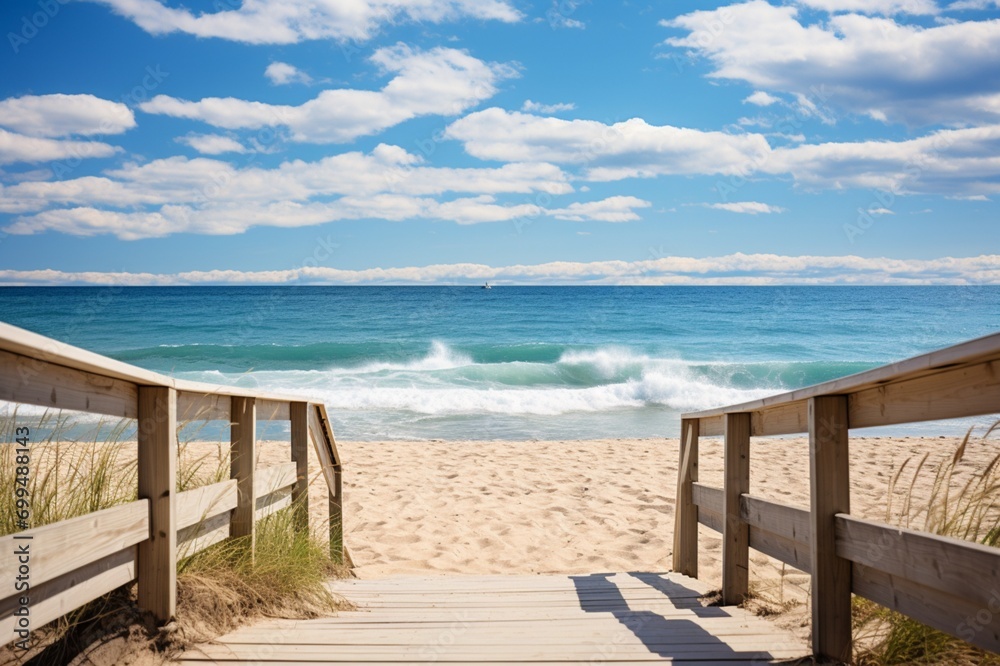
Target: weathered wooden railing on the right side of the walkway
(946, 583)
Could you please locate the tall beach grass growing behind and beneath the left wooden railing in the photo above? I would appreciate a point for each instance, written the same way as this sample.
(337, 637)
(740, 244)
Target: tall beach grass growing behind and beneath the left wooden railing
(218, 588)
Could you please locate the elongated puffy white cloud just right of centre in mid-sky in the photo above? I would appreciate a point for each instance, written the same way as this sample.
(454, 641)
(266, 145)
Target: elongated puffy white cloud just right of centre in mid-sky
(631, 148)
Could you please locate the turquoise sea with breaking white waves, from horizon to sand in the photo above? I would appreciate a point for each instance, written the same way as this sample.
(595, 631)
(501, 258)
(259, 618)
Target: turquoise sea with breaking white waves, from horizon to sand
(511, 362)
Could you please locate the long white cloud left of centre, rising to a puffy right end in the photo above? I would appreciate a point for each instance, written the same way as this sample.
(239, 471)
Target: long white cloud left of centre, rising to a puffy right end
(441, 81)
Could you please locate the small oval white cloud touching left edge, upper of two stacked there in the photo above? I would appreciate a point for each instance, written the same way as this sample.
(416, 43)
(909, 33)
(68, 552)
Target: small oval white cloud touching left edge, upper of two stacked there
(64, 115)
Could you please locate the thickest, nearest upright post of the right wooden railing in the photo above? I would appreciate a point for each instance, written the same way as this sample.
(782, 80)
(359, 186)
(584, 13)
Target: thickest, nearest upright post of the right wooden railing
(829, 474)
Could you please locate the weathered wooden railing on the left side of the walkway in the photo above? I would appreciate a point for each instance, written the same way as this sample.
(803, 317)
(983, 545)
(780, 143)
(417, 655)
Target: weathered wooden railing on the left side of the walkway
(75, 561)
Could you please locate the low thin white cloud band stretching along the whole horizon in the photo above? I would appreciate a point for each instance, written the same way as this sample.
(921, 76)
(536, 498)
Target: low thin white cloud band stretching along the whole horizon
(743, 269)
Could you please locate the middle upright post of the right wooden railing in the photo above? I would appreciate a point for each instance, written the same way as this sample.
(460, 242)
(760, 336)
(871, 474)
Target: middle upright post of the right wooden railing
(735, 532)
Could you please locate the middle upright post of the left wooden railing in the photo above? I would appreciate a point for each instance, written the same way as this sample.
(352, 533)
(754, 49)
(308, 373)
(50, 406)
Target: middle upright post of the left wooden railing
(243, 458)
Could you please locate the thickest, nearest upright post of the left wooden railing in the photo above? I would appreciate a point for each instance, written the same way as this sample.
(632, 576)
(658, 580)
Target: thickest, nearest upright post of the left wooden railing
(157, 469)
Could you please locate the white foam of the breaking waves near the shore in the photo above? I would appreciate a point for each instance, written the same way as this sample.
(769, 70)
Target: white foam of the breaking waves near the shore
(447, 382)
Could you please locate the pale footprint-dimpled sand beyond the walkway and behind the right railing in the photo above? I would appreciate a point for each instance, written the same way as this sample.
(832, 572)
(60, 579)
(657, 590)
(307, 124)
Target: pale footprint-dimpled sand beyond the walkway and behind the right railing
(604, 505)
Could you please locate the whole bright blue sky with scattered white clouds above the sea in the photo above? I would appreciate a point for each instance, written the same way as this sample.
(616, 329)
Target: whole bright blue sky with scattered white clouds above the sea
(411, 141)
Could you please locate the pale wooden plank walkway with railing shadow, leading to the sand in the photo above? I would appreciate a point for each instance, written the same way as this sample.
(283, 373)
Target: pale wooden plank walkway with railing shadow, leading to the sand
(634, 618)
